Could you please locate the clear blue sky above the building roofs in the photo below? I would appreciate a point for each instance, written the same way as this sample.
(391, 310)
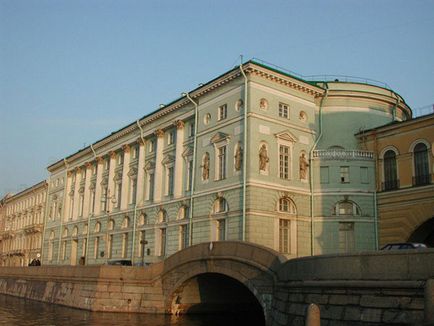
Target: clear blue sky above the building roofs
(72, 72)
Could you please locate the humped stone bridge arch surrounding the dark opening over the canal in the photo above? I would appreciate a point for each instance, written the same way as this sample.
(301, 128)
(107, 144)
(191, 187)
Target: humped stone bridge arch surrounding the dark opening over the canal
(252, 265)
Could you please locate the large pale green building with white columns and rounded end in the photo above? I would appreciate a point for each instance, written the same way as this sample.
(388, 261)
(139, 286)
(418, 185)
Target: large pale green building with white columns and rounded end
(254, 155)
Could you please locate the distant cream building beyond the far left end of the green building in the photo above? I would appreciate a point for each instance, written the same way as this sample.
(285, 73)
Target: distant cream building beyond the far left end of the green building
(22, 225)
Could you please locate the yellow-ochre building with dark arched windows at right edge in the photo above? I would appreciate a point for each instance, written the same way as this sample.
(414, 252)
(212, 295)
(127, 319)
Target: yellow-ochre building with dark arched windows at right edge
(404, 164)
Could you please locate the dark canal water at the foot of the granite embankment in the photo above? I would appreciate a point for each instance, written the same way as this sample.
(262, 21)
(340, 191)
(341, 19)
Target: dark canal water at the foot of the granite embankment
(23, 312)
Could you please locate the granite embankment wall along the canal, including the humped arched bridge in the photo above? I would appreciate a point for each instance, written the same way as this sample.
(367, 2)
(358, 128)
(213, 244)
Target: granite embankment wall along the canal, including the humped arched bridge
(373, 288)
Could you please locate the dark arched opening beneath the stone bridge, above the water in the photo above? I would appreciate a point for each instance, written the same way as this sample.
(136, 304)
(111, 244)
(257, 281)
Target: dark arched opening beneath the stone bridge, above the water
(214, 293)
